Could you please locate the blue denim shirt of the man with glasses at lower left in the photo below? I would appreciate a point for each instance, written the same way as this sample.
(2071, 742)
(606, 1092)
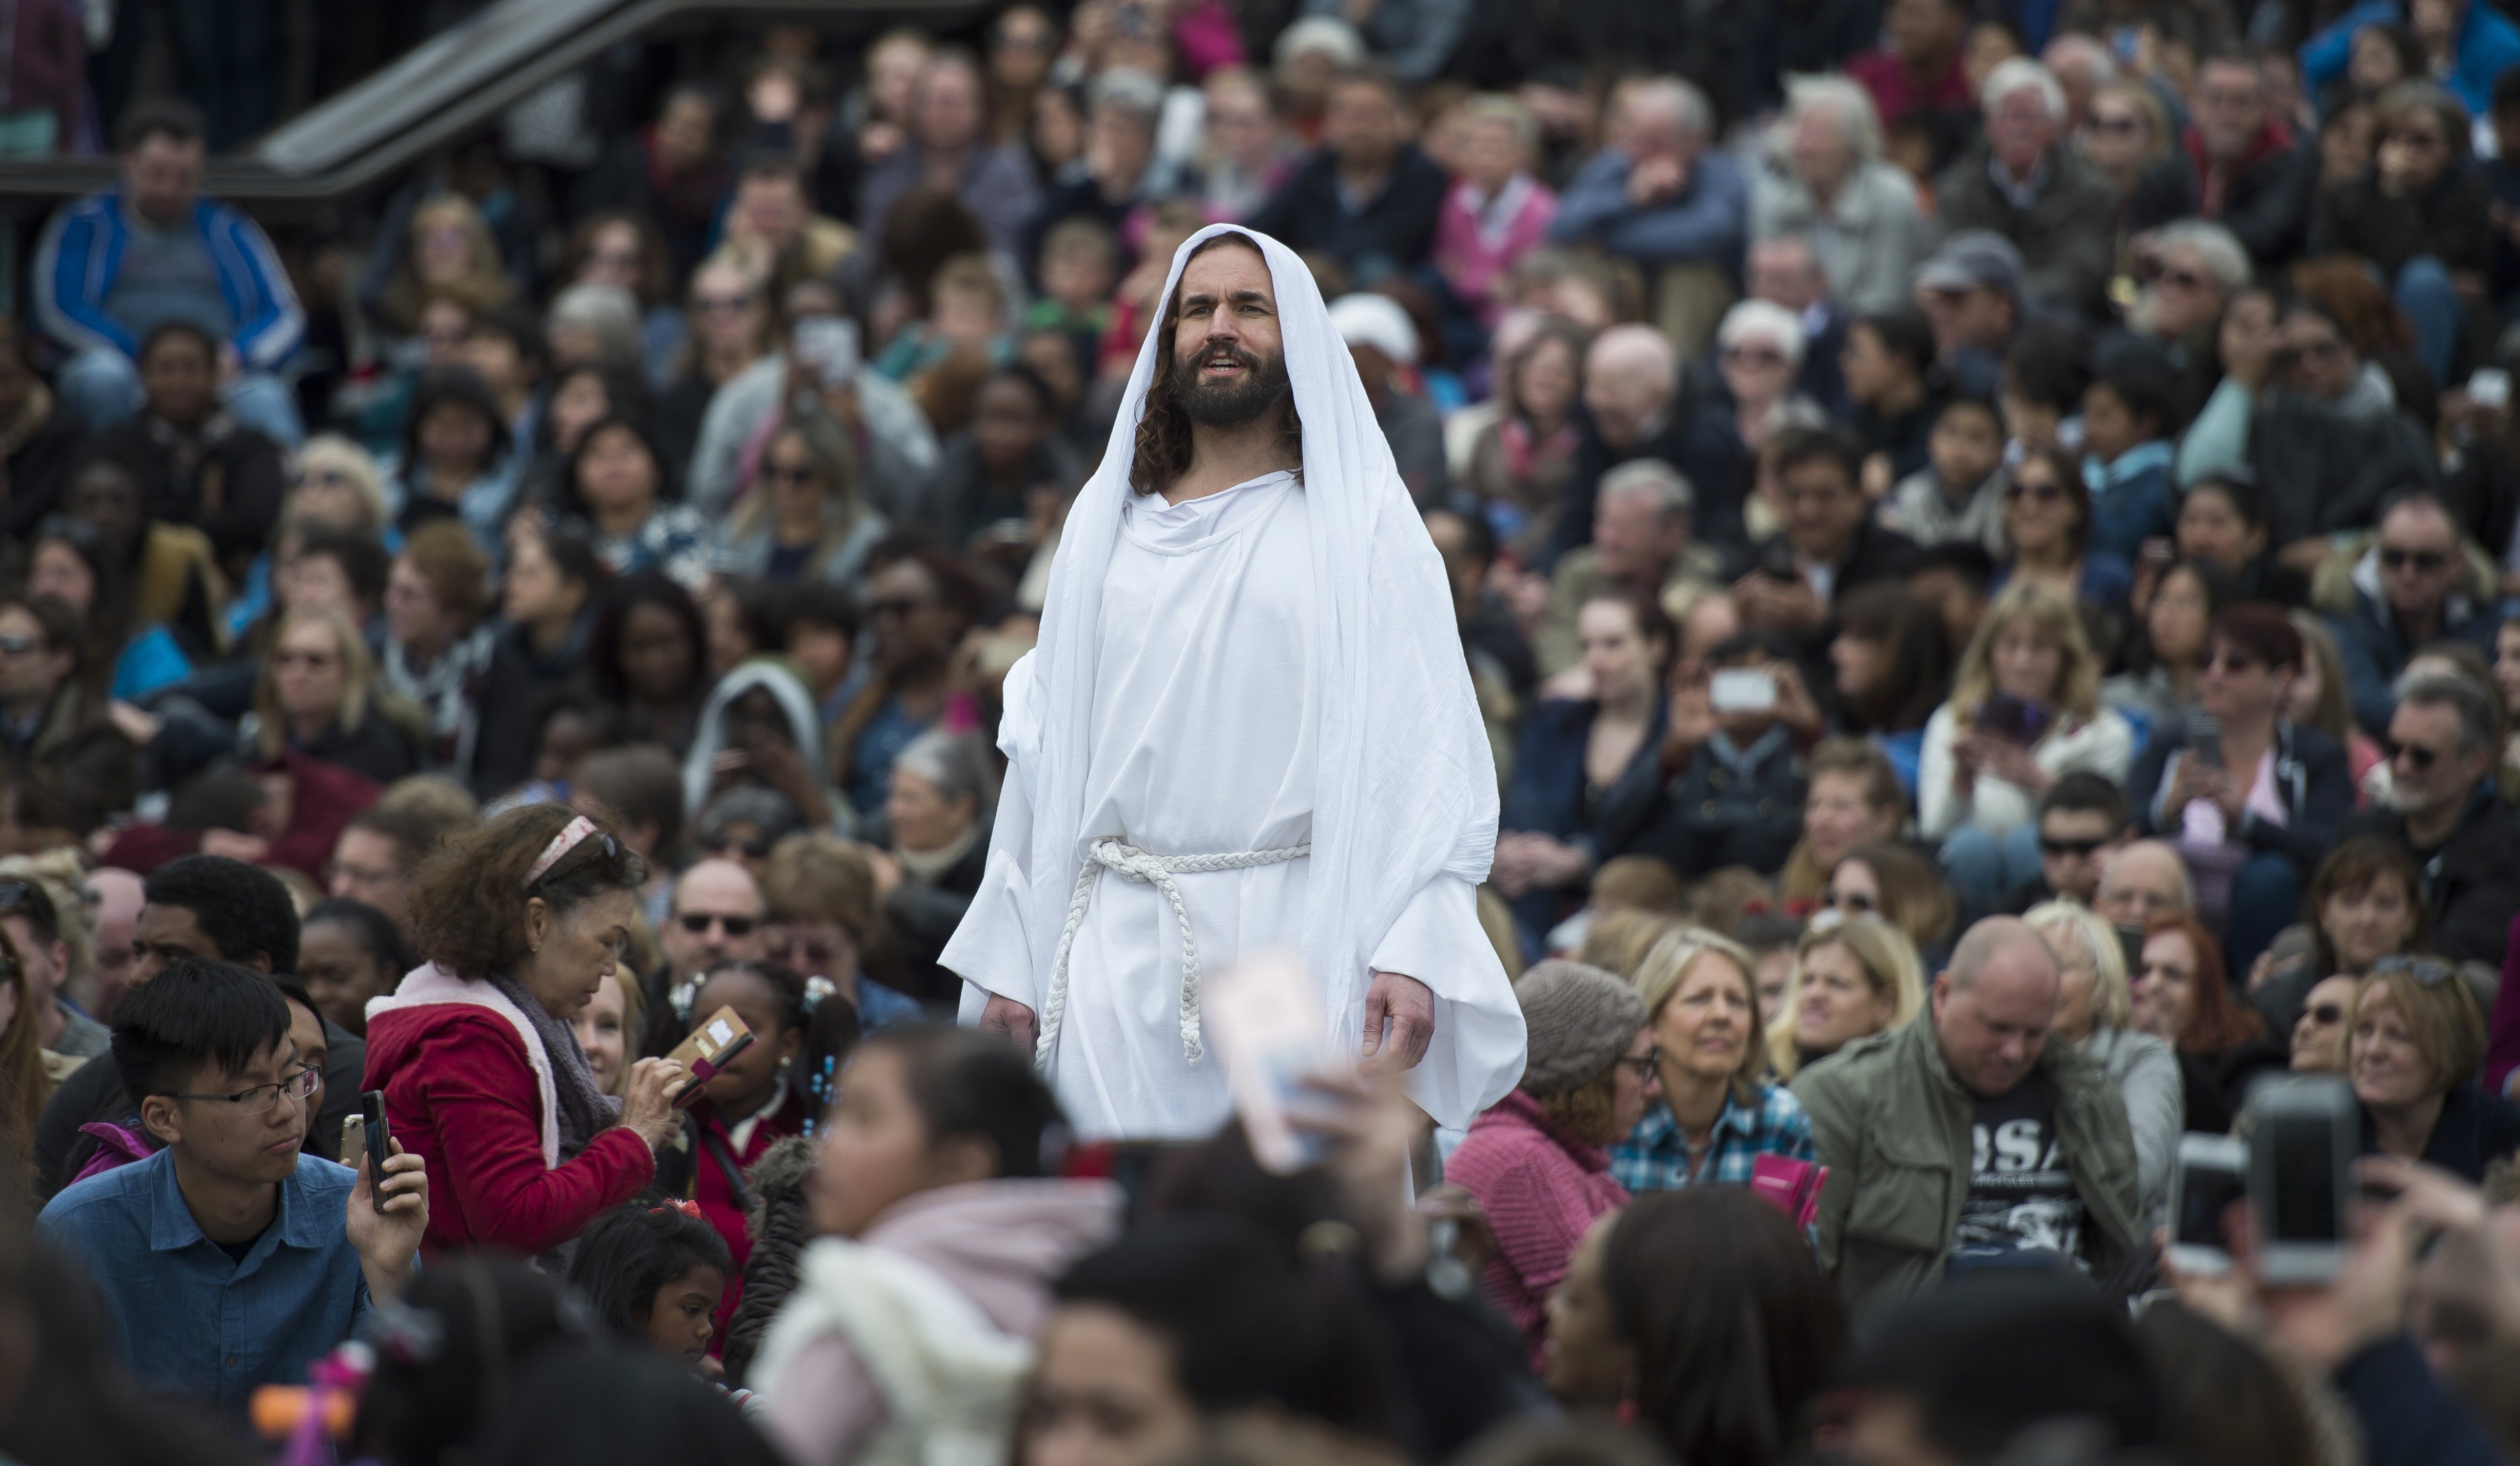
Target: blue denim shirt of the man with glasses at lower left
(185, 1316)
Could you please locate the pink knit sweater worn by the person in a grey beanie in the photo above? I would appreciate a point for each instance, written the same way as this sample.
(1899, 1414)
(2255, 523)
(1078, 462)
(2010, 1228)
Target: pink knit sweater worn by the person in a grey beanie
(1541, 1193)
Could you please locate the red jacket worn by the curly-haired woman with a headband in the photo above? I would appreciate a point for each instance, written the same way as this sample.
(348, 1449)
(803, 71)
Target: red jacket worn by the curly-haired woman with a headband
(460, 1094)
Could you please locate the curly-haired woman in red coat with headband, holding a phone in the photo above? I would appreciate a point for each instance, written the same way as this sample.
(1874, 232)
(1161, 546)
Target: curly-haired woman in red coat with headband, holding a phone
(518, 923)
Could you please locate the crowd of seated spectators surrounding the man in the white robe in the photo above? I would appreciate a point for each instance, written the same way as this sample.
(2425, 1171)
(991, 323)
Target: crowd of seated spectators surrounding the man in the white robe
(1982, 538)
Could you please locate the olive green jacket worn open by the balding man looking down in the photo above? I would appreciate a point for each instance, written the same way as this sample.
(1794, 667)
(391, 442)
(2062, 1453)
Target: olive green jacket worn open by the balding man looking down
(1891, 1125)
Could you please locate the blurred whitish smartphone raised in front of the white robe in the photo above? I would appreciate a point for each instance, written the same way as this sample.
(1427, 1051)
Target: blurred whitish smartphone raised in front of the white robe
(1271, 1034)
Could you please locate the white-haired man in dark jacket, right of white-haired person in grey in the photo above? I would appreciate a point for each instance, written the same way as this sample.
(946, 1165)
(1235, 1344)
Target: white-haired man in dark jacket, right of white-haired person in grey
(2032, 190)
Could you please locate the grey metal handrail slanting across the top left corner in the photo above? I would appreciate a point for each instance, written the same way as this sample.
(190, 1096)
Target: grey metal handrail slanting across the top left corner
(435, 94)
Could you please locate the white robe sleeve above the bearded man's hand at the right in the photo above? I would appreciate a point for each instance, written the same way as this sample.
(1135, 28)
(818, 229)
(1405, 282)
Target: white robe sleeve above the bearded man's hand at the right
(1478, 1026)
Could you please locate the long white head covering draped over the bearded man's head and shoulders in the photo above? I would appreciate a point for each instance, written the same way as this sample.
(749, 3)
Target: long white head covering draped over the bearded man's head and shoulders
(1407, 780)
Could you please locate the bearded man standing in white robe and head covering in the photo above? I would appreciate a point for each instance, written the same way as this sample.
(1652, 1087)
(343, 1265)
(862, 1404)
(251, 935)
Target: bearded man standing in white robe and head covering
(1246, 727)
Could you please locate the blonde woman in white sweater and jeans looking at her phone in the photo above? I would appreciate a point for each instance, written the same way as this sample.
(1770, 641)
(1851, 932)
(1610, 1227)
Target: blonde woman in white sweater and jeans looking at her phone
(2025, 709)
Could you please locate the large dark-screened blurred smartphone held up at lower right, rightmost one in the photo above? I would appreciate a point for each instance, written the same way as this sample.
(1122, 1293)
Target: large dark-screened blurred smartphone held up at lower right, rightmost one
(2305, 1135)
